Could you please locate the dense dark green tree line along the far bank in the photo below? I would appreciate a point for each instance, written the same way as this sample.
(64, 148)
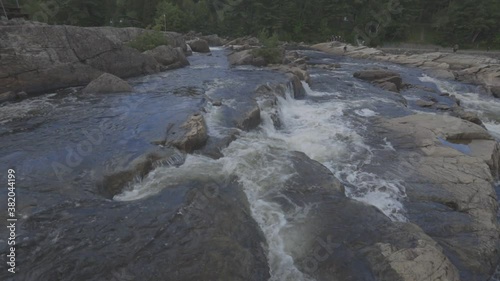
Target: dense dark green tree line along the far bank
(447, 22)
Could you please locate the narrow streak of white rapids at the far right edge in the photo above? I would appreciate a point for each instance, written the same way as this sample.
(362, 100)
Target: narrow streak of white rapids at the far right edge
(487, 108)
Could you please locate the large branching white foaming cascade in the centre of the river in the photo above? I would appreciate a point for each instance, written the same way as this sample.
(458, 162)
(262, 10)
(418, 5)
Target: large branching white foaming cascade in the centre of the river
(261, 161)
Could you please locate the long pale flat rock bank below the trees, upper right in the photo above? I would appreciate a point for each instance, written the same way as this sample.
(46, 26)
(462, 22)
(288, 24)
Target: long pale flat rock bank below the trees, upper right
(464, 67)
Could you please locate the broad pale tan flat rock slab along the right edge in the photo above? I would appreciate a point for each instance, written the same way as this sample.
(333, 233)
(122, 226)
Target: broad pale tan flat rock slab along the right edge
(449, 166)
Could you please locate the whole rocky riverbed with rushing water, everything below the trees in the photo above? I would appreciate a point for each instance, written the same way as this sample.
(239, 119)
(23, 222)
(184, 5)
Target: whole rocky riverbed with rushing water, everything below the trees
(324, 167)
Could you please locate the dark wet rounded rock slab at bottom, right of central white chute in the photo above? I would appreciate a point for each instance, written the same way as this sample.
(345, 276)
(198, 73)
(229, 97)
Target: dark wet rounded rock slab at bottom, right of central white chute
(341, 239)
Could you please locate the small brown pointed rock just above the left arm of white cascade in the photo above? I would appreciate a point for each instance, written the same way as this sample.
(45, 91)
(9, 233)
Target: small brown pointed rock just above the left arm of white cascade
(193, 134)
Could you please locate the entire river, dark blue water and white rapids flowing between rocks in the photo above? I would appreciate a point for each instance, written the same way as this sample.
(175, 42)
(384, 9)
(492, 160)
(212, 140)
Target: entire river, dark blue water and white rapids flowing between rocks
(62, 144)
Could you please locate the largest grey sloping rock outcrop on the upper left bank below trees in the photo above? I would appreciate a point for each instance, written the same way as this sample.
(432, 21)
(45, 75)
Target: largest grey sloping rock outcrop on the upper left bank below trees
(39, 58)
